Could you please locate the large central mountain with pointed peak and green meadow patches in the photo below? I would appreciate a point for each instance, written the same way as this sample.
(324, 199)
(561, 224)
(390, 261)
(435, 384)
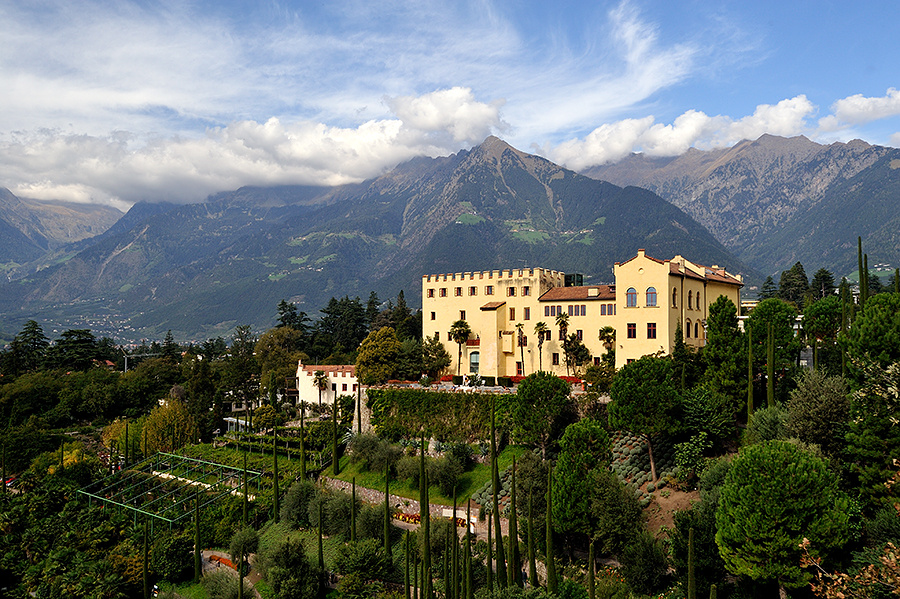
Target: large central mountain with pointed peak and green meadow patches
(201, 269)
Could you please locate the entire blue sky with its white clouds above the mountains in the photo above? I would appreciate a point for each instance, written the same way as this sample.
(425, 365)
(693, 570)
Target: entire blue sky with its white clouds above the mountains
(118, 102)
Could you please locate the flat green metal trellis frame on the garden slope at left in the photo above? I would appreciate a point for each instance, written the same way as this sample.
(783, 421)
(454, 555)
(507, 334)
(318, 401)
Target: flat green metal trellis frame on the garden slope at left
(163, 486)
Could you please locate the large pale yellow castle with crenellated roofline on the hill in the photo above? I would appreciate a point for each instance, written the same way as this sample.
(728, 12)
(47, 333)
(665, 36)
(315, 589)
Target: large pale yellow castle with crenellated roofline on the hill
(645, 305)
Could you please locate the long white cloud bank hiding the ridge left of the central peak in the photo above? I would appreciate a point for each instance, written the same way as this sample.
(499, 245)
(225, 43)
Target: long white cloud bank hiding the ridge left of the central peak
(115, 169)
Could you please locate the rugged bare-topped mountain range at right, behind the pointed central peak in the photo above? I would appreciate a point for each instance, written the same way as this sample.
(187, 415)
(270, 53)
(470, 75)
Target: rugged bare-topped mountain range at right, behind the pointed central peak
(776, 201)
